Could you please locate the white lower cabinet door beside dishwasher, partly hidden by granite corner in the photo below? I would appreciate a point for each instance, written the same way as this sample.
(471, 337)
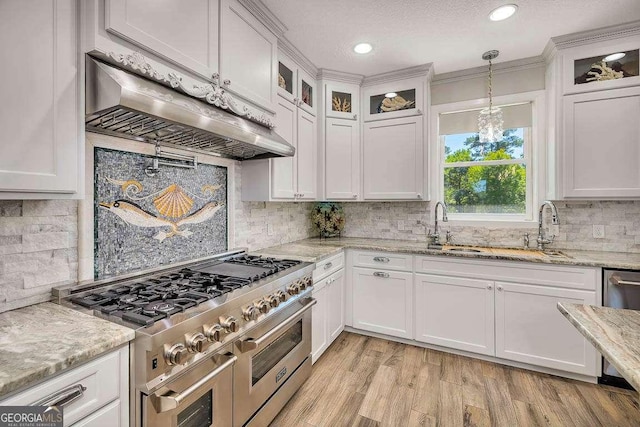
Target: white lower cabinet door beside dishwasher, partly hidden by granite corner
(530, 329)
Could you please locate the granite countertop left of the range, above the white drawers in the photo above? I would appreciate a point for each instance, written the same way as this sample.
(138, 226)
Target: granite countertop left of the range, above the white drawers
(43, 339)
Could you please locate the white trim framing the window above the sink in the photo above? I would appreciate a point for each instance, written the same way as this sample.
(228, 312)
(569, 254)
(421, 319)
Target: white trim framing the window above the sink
(536, 180)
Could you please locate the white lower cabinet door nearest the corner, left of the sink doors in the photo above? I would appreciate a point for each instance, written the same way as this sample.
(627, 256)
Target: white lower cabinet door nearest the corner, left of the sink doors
(382, 301)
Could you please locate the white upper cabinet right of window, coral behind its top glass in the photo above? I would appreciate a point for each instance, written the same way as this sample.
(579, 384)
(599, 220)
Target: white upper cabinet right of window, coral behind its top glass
(593, 111)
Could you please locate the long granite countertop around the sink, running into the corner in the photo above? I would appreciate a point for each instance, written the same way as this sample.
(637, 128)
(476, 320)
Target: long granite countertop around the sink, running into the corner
(316, 249)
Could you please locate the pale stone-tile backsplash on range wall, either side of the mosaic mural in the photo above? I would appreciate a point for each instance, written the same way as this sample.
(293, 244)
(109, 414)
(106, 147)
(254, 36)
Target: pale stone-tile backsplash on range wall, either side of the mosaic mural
(39, 241)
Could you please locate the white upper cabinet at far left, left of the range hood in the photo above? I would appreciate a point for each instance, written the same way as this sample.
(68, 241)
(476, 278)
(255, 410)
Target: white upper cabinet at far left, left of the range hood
(42, 142)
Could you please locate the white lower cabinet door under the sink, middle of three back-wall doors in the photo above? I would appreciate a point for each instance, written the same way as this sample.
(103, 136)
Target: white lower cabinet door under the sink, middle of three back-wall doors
(455, 312)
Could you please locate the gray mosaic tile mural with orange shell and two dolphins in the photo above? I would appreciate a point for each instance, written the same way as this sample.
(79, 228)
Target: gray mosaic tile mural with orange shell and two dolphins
(145, 221)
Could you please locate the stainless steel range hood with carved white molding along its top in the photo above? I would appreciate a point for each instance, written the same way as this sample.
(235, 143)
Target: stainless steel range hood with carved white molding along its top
(143, 104)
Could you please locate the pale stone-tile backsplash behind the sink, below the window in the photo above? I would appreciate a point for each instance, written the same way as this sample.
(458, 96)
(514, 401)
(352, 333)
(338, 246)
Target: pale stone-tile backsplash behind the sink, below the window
(393, 220)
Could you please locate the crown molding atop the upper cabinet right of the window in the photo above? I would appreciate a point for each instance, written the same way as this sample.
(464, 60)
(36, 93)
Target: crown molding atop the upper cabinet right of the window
(590, 36)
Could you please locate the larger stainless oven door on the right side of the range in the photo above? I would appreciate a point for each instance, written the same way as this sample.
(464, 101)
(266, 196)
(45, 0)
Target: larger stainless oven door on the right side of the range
(268, 355)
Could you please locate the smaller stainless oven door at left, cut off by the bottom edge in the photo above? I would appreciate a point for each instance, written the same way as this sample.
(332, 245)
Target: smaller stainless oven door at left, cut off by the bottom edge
(200, 397)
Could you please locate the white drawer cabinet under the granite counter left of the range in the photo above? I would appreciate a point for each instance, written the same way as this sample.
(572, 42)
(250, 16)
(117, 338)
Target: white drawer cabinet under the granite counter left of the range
(103, 388)
